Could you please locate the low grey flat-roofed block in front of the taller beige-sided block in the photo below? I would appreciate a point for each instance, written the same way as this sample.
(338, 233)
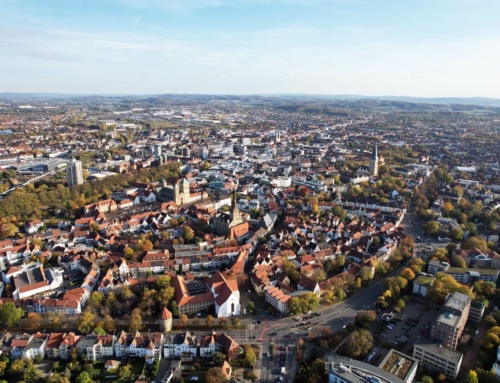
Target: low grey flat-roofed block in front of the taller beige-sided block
(438, 358)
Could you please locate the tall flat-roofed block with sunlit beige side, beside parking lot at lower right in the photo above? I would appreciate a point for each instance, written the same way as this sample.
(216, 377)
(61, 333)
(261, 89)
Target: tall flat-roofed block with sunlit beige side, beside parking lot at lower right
(450, 321)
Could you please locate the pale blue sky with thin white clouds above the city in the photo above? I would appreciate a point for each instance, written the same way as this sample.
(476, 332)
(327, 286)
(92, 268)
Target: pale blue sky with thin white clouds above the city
(425, 48)
